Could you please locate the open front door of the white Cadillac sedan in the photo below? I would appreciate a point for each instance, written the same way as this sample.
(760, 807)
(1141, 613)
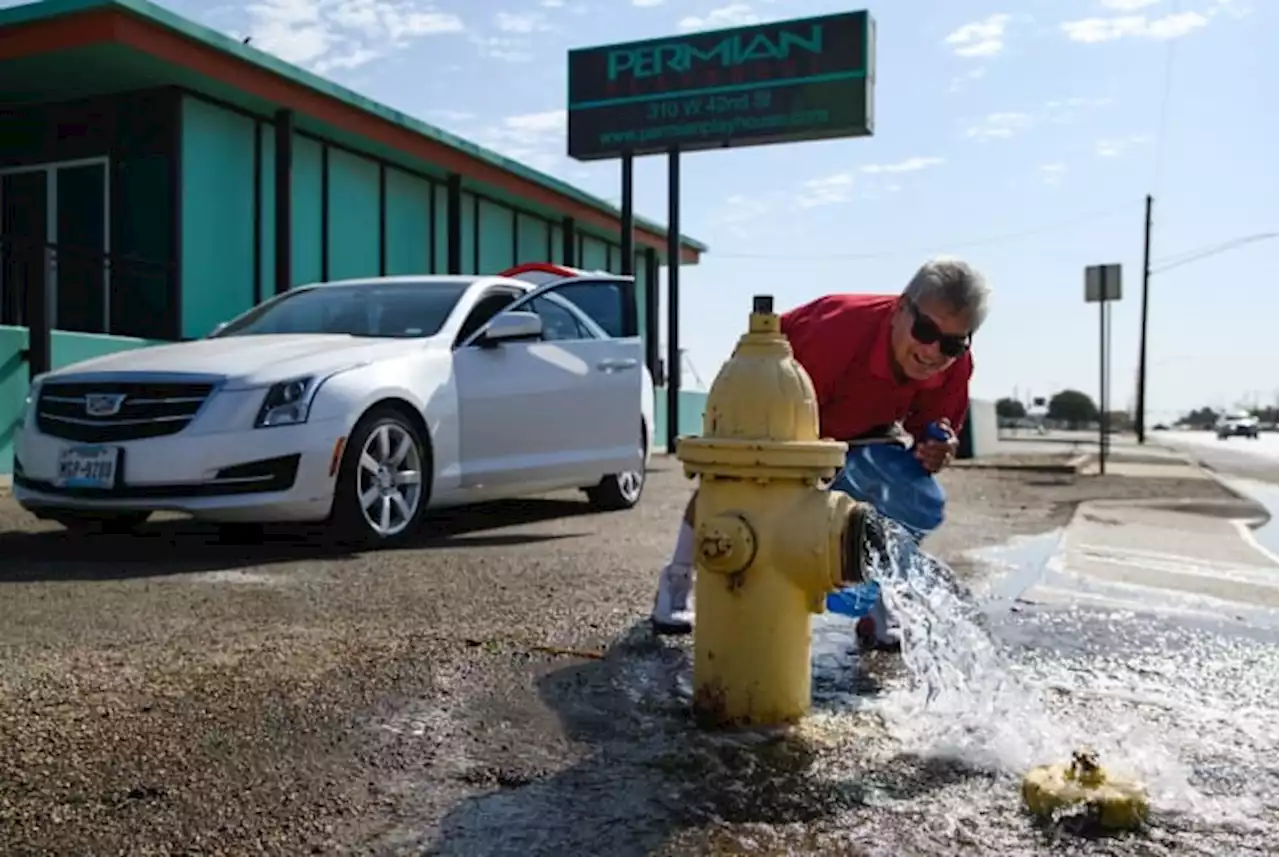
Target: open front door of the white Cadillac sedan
(564, 410)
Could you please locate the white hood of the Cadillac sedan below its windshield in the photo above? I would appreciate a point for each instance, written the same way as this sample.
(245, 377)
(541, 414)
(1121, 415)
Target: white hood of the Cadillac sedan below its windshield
(252, 361)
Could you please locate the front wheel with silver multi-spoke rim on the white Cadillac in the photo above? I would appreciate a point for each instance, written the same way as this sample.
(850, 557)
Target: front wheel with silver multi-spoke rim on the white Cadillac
(376, 503)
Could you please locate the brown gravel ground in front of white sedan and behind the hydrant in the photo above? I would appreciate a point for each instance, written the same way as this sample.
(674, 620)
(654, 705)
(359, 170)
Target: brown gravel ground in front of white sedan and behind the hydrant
(487, 691)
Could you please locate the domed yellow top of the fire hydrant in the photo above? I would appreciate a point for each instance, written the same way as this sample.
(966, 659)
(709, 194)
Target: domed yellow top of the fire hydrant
(762, 393)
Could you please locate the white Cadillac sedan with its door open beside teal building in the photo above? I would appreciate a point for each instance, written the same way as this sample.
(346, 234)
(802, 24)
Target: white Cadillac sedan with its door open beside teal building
(362, 404)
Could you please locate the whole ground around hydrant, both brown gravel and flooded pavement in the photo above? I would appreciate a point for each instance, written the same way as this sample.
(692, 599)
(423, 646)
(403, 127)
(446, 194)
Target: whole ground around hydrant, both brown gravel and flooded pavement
(495, 690)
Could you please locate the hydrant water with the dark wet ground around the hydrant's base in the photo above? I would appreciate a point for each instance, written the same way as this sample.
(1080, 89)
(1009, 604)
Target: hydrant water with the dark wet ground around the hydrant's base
(902, 757)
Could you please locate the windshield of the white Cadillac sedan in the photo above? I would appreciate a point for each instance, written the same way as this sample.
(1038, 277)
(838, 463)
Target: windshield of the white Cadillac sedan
(383, 310)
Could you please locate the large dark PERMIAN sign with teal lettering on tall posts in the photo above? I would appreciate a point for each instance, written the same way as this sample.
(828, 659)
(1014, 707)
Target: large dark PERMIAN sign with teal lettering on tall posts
(779, 83)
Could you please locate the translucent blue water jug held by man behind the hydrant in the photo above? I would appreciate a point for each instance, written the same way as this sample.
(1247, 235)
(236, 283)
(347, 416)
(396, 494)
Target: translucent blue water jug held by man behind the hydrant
(889, 478)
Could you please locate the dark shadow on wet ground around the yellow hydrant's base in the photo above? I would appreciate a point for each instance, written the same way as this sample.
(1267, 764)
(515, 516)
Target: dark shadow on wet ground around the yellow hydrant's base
(650, 780)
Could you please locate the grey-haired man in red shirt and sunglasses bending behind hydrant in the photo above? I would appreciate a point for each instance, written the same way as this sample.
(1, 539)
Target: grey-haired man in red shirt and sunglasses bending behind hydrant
(879, 364)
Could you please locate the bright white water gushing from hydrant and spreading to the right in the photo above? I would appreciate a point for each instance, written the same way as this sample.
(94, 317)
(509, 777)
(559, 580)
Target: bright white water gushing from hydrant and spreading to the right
(1190, 713)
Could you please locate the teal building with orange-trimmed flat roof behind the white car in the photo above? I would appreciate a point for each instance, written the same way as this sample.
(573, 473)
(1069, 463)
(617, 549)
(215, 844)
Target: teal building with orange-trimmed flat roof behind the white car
(158, 178)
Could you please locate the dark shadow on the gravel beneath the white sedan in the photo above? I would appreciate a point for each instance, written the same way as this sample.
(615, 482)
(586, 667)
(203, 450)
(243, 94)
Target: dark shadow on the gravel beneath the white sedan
(180, 547)
